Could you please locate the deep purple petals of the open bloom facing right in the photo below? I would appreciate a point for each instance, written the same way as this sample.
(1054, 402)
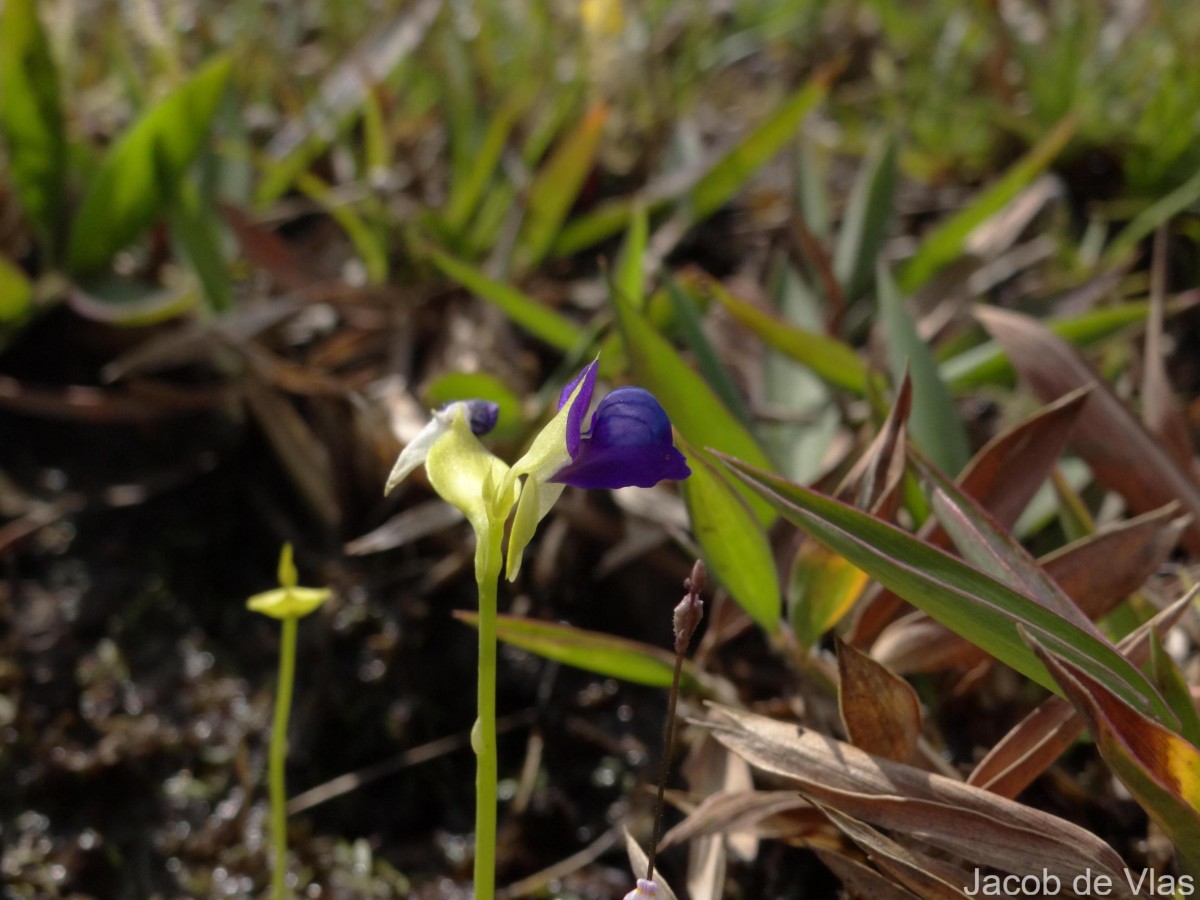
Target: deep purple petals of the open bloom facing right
(628, 443)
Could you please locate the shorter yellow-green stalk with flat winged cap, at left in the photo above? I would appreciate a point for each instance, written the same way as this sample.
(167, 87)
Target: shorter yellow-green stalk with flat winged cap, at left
(289, 604)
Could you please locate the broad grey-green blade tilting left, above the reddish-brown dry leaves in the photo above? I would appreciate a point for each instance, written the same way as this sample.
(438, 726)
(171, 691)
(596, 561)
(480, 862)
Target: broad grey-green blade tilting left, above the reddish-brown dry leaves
(934, 424)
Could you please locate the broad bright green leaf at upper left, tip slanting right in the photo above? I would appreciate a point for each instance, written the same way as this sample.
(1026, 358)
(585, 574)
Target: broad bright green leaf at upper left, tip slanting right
(140, 176)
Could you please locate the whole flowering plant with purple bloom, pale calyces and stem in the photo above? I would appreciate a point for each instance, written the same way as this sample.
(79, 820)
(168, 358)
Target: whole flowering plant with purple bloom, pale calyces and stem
(629, 442)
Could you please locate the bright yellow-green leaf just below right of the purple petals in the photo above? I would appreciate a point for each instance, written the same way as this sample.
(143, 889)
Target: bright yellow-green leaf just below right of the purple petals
(734, 544)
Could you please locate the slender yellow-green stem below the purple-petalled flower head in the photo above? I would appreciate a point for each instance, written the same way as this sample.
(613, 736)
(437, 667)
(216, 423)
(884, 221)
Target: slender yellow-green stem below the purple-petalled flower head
(488, 571)
